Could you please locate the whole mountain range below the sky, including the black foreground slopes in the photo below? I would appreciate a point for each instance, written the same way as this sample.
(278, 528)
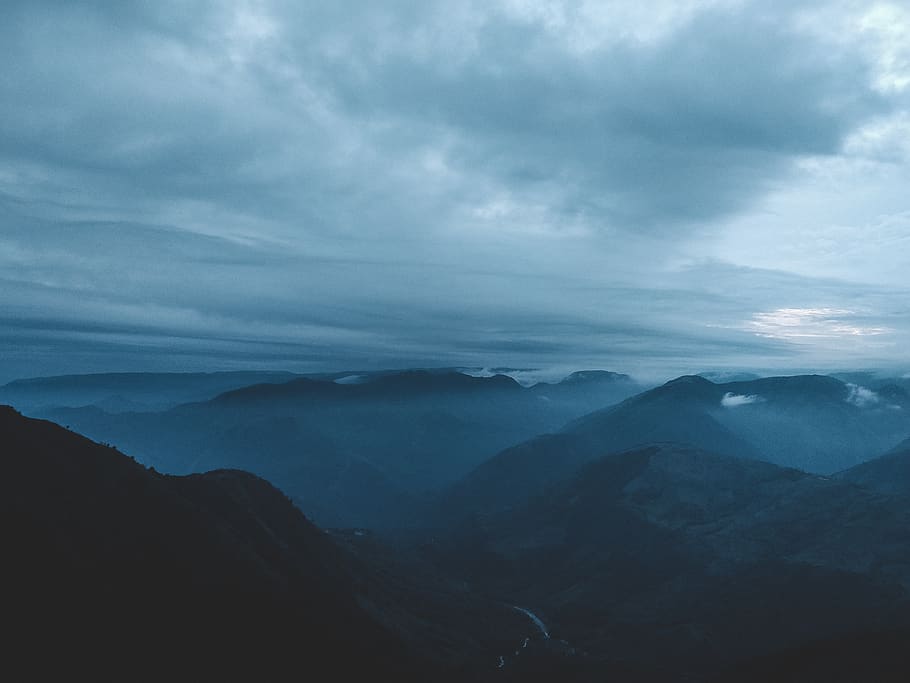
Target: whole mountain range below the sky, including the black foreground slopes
(467, 529)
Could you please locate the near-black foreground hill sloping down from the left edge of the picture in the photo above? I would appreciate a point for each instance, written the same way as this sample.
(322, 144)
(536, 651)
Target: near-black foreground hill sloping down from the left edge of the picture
(113, 572)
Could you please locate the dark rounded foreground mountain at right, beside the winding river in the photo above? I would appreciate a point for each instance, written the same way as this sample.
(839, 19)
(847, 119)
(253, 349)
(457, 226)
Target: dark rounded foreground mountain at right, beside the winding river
(667, 562)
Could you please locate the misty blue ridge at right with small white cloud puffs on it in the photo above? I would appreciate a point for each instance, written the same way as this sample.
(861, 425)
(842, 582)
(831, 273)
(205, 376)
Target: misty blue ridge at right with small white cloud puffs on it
(812, 422)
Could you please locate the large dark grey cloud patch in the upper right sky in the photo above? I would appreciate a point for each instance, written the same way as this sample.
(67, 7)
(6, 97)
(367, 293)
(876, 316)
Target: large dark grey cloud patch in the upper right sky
(633, 135)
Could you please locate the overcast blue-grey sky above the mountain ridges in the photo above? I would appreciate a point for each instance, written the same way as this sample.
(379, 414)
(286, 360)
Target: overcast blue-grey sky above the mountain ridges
(655, 188)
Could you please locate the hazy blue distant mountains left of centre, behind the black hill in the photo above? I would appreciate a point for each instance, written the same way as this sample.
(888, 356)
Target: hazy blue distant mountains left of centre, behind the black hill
(370, 452)
